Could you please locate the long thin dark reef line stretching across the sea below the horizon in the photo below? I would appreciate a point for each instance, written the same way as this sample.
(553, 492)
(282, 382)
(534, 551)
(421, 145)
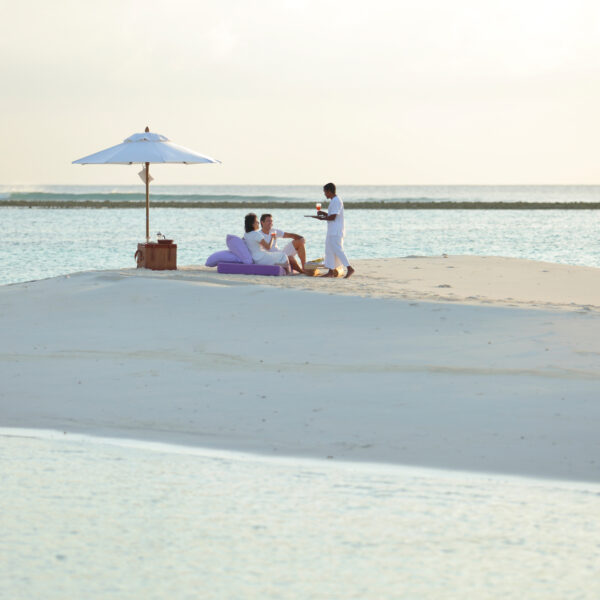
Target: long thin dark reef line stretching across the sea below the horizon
(371, 205)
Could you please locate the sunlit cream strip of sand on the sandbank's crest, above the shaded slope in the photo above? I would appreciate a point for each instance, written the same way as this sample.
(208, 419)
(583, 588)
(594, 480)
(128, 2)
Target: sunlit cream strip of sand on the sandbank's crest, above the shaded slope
(464, 279)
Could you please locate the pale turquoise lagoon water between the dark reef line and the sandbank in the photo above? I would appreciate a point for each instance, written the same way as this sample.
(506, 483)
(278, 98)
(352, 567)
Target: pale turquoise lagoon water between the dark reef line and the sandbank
(40, 243)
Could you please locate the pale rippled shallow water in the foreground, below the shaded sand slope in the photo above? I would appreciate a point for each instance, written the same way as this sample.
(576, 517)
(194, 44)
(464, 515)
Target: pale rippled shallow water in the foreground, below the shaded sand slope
(97, 518)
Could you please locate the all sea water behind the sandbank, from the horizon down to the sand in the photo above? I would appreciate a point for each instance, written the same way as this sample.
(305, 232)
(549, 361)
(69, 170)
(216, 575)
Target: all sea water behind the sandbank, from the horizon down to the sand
(40, 242)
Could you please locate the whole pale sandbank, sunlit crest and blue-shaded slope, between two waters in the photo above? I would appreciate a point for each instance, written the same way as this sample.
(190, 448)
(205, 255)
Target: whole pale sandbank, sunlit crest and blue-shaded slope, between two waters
(228, 362)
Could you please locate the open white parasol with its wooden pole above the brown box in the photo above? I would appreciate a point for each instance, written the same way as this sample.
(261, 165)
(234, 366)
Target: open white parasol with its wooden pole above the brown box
(145, 148)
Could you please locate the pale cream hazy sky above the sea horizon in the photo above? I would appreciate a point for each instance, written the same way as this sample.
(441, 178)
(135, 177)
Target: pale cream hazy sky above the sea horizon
(303, 91)
